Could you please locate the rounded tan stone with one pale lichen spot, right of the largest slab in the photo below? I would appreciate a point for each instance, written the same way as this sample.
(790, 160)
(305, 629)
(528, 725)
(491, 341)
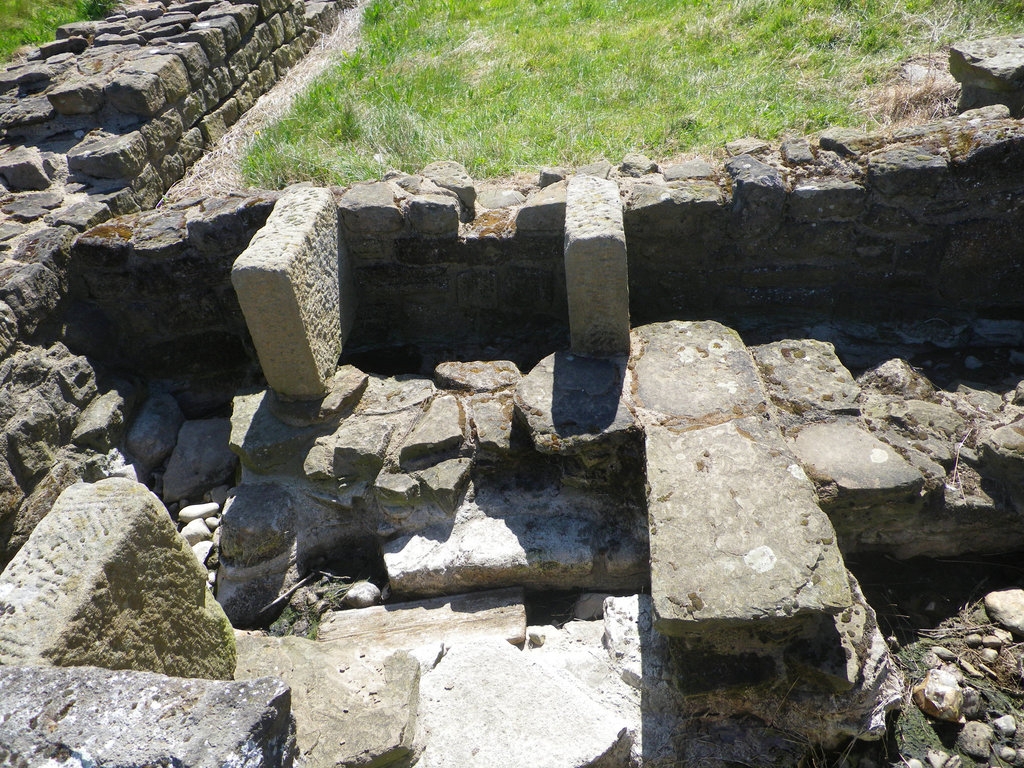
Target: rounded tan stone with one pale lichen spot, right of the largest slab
(852, 470)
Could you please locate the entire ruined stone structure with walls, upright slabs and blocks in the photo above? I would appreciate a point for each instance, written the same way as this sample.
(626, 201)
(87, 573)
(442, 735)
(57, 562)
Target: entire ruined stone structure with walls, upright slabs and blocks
(473, 405)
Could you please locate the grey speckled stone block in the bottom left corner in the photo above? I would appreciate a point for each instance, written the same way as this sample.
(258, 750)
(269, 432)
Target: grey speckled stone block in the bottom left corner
(86, 716)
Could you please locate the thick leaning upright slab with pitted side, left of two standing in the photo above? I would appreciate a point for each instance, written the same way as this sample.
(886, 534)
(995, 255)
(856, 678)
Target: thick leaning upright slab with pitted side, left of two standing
(288, 286)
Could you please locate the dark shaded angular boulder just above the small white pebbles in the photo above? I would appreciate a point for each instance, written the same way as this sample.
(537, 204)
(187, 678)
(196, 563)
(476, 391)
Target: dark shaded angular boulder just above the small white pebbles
(201, 459)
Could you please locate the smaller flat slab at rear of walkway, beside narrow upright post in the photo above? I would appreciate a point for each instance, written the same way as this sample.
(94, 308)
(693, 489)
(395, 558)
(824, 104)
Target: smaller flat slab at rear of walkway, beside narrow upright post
(695, 374)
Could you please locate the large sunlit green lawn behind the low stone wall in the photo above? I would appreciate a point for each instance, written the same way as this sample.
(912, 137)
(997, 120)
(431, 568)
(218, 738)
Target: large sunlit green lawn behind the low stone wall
(509, 86)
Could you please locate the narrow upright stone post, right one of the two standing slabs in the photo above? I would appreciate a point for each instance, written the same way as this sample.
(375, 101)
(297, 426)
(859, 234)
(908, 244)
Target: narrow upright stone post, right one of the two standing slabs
(595, 269)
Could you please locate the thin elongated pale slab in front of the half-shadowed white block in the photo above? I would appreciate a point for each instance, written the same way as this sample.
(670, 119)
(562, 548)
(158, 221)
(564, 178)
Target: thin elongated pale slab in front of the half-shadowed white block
(495, 614)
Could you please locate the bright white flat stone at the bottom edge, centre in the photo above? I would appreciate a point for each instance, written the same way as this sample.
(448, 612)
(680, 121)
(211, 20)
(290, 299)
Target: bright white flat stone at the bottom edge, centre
(461, 726)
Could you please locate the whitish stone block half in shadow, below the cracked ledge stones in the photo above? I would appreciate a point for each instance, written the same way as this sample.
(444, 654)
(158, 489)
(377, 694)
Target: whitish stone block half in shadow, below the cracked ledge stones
(549, 538)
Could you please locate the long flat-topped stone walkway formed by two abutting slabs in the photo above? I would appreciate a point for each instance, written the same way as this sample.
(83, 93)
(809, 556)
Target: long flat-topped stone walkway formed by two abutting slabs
(737, 536)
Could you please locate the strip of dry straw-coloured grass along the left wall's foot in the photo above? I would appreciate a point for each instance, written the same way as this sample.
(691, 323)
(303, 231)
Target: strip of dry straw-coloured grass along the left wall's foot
(218, 172)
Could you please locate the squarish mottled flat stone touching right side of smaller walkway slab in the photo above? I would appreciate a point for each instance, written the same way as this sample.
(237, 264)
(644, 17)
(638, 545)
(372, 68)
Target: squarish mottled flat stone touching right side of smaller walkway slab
(806, 377)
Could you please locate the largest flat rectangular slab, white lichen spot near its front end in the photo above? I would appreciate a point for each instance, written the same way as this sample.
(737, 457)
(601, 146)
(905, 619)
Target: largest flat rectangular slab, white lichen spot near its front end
(737, 534)
